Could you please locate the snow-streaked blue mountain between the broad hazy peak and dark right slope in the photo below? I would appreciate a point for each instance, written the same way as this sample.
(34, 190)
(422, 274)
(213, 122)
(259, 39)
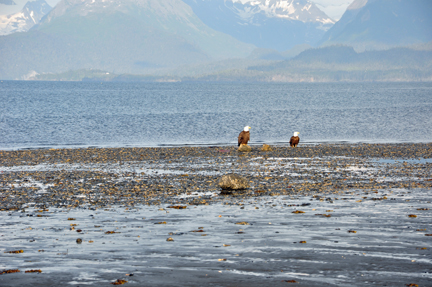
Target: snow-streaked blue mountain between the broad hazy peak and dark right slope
(270, 24)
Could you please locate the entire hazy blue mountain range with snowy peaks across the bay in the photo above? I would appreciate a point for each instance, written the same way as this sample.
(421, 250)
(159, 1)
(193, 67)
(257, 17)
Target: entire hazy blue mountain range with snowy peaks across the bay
(184, 38)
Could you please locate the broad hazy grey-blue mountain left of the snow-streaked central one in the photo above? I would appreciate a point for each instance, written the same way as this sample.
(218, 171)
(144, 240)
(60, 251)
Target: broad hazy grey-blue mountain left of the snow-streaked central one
(127, 36)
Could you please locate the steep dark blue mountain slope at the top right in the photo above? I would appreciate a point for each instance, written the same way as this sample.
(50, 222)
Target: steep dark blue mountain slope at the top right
(382, 24)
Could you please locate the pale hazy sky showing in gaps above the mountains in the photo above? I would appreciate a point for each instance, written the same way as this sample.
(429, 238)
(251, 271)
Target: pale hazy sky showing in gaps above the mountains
(333, 8)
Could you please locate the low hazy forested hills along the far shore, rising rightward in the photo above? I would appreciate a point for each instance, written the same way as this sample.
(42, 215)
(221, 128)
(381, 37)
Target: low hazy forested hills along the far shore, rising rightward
(328, 64)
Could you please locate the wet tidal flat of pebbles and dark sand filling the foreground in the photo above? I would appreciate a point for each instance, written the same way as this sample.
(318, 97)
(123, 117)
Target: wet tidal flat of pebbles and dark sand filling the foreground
(315, 215)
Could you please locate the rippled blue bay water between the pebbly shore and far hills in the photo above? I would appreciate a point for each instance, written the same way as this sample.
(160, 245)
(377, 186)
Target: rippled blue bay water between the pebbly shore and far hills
(75, 114)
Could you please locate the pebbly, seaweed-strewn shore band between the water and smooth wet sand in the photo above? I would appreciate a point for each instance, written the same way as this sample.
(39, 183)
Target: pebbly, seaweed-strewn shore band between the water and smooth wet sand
(153, 175)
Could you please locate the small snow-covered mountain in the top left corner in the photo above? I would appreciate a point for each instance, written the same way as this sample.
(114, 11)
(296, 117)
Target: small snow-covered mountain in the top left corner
(22, 21)
